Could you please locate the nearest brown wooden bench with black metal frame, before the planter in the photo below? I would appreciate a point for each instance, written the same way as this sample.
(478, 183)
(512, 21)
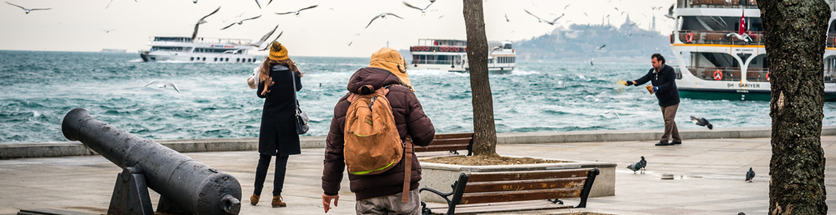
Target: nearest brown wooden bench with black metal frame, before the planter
(476, 191)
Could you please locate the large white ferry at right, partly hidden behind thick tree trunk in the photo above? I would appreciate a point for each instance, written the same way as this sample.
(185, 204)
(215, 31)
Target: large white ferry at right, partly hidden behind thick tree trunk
(722, 66)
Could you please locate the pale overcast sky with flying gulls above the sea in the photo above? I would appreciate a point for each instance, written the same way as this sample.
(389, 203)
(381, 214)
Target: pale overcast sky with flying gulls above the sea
(79, 25)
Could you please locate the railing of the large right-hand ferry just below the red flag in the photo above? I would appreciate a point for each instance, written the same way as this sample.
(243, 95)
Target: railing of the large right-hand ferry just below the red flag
(718, 37)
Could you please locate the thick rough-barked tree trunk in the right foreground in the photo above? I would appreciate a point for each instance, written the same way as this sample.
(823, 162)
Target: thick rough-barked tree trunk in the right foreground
(795, 33)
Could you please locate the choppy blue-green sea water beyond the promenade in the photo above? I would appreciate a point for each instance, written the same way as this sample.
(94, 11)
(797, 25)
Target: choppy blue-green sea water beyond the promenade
(38, 88)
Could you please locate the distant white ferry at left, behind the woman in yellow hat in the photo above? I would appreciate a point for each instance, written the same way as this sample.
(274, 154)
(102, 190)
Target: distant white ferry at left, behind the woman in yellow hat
(201, 50)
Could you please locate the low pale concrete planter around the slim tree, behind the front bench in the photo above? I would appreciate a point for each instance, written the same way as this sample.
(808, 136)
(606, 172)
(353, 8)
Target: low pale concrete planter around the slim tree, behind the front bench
(441, 176)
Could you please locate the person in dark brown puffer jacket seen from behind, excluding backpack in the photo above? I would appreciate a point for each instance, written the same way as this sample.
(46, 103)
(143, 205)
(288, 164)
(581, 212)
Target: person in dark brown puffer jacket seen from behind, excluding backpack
(381, 193)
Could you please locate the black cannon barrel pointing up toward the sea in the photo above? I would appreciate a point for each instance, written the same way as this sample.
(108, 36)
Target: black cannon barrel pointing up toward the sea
(192, 185)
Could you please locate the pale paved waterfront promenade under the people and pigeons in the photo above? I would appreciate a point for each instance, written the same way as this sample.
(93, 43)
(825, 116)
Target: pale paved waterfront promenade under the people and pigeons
(709, 178)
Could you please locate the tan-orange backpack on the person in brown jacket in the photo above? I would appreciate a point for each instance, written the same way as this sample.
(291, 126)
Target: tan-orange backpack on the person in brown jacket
(372, 142)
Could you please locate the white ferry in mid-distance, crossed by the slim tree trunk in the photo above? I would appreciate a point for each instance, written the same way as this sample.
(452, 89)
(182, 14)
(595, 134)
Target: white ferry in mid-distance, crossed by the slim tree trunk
(451, 55)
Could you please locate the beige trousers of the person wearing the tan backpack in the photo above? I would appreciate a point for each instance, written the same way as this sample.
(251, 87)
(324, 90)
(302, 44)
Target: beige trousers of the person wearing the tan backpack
(390, 204)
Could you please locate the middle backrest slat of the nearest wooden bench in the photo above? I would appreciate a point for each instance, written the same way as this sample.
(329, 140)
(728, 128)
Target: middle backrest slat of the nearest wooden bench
(497, 186)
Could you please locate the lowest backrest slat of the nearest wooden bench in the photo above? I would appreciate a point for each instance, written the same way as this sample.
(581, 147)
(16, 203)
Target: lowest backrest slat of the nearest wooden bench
(507, 196)
